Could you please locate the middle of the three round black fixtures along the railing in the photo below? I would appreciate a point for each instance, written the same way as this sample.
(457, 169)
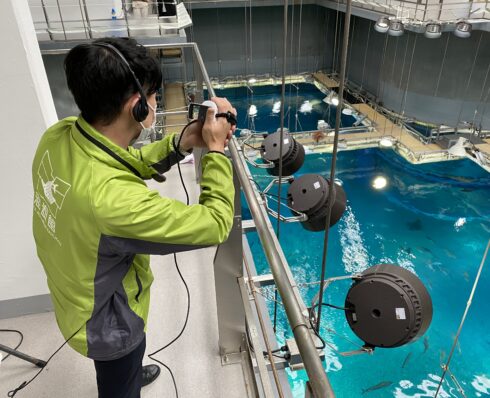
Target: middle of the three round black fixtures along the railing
(308, 194)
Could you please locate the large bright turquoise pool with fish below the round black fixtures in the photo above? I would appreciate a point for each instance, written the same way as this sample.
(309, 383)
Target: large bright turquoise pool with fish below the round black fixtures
(432, 219)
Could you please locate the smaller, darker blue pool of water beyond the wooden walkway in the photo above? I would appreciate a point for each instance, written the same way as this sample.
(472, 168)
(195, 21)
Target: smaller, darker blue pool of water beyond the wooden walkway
(296, 117)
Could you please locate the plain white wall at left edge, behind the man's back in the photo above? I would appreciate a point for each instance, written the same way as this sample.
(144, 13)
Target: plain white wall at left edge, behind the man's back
(26, 110)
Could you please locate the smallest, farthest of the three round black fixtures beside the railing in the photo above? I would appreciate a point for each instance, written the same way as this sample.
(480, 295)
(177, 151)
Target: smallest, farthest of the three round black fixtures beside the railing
(293, 153)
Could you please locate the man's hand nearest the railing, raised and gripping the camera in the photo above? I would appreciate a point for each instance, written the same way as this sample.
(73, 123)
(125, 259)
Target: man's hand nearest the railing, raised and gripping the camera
(217, 131)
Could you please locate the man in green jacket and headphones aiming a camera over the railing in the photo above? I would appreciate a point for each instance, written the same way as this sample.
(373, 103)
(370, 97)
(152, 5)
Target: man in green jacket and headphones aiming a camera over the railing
(96, 222)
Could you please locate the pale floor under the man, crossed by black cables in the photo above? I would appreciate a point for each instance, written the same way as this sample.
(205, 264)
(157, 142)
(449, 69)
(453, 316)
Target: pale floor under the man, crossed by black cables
(194, 358)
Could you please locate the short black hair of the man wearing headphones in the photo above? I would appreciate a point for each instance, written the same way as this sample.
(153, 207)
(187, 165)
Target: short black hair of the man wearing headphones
(100, 81)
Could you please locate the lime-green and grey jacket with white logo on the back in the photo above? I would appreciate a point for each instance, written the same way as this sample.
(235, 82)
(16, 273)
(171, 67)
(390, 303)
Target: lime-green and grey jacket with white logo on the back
(95, 223)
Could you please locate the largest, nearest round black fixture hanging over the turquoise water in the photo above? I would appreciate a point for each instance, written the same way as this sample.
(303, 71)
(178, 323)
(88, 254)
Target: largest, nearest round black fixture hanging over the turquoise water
(388, 306)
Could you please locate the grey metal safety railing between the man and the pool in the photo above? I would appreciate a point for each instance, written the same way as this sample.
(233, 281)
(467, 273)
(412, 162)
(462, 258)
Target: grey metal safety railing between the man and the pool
(230, 253)
